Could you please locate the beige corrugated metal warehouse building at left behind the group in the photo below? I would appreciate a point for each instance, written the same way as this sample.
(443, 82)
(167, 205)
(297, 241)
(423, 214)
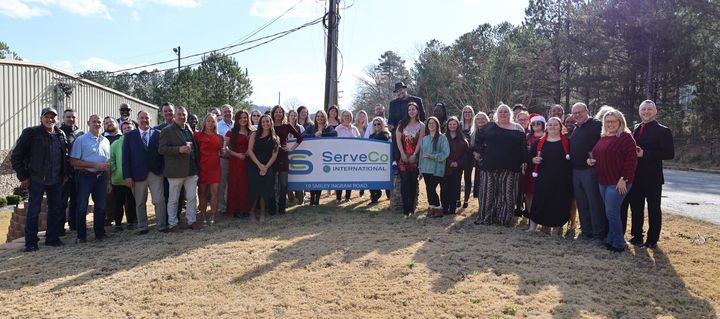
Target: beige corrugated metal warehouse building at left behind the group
(26, 87)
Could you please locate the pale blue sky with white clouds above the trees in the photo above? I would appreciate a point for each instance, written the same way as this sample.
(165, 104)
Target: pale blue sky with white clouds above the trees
(109, 35)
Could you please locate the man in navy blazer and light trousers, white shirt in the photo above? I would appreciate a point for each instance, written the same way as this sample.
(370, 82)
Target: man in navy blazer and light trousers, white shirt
(143, 169)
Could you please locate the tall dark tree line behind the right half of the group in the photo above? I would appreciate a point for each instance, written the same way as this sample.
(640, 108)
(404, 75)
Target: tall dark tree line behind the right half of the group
(614, 52)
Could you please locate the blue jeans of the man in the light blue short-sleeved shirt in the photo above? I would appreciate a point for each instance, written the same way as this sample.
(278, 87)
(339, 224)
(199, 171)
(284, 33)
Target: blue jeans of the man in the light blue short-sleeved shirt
(95, 185)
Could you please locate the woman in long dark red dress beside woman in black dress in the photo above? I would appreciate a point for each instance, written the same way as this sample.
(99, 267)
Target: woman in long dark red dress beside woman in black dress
(237, 141)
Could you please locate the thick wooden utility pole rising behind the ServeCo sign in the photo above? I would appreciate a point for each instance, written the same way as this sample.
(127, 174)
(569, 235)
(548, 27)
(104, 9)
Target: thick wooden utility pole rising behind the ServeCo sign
(331, 22)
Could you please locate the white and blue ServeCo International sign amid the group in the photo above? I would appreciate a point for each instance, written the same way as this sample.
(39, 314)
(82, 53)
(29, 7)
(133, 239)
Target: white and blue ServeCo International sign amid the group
(340, 163)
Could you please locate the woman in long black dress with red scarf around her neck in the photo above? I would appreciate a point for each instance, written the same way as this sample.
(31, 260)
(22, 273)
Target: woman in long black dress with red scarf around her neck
(553, 179)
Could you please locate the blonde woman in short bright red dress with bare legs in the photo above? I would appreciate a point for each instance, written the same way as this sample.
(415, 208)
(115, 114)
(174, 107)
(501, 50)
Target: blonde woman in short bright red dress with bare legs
(210, 144)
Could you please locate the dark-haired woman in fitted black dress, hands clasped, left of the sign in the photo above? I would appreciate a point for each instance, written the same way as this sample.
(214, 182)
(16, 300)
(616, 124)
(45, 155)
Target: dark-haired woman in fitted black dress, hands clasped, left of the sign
(263, 150)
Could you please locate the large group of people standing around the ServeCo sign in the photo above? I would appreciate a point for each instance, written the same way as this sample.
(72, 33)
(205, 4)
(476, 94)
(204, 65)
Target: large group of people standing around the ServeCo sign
(540, 167)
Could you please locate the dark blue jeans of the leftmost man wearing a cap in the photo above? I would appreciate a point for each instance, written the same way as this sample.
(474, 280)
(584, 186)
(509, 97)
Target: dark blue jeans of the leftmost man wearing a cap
(54, 213)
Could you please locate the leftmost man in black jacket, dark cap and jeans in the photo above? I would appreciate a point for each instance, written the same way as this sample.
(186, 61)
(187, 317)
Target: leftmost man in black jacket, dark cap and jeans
(40, 163)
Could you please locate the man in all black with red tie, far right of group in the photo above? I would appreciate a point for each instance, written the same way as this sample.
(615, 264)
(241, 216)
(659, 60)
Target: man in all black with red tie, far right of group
(654, 144)
